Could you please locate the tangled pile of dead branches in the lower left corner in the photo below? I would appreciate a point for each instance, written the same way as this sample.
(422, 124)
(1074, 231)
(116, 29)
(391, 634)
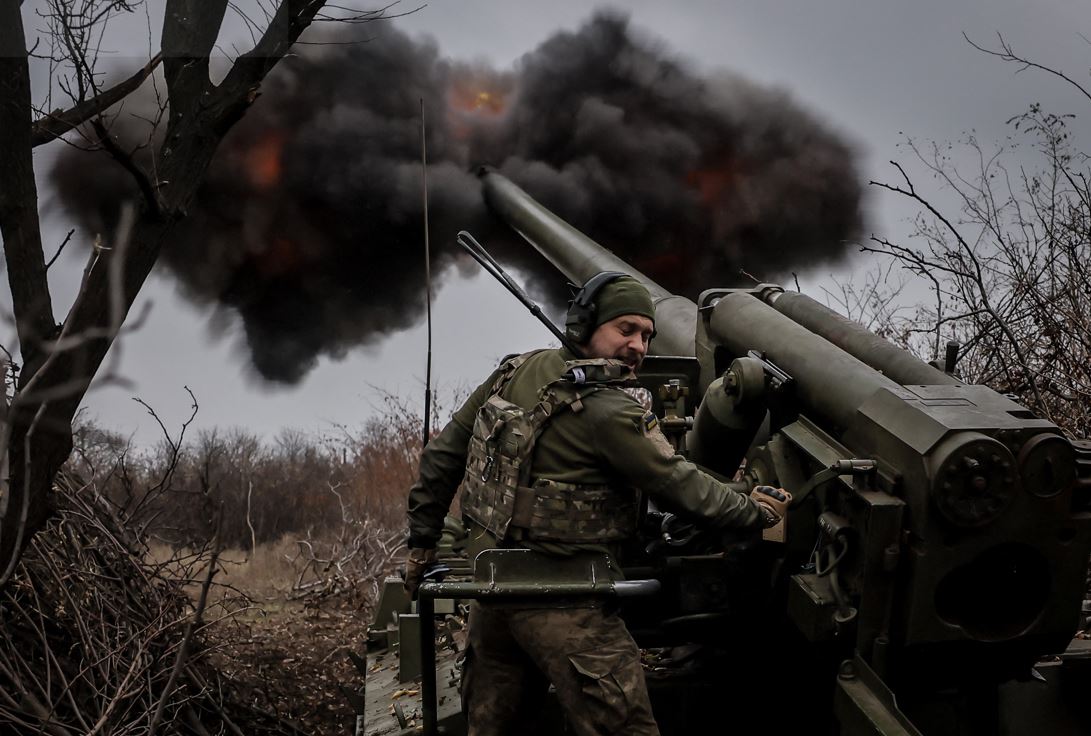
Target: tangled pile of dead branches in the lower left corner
(98, 640)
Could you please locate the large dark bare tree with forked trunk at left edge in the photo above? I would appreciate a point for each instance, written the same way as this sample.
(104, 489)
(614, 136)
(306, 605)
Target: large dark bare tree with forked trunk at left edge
(61, 359)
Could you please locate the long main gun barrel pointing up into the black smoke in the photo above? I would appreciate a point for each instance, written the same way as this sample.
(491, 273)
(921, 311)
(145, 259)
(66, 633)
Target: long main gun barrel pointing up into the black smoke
(580, 258)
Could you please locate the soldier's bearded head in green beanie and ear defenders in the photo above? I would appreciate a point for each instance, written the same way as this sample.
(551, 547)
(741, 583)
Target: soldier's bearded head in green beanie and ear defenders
(613, 317)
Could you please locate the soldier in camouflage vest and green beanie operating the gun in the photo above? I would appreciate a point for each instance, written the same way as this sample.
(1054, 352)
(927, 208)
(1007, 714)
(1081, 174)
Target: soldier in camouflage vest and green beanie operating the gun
(550, 450)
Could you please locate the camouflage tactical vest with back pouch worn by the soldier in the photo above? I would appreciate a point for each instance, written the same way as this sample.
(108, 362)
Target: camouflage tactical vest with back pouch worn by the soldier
(498, 492)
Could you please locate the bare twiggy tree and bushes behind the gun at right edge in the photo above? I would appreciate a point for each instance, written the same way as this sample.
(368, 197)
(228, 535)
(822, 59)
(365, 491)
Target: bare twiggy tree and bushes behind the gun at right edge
(1009, 272)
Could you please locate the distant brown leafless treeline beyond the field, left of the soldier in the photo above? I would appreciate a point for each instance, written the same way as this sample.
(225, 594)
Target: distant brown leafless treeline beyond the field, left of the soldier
(256, 490)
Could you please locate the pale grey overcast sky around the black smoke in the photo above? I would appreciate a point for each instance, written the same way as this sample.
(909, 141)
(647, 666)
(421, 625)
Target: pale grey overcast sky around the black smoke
(874, 70)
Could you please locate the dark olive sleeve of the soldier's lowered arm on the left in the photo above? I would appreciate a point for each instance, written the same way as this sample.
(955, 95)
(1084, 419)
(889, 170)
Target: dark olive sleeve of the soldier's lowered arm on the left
(442, 466)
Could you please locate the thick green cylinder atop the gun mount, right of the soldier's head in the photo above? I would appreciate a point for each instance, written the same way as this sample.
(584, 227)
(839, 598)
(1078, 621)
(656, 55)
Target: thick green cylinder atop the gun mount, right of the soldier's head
(830, 380)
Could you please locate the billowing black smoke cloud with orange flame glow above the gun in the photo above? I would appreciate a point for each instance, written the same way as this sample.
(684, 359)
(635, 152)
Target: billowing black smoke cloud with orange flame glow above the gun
(309, 225)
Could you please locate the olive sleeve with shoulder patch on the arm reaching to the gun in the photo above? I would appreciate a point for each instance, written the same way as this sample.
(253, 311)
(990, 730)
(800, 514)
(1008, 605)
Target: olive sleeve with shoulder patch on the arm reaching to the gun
(630, 442)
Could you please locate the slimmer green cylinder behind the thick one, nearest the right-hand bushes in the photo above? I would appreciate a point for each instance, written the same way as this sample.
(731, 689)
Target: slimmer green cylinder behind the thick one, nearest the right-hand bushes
(897, 365)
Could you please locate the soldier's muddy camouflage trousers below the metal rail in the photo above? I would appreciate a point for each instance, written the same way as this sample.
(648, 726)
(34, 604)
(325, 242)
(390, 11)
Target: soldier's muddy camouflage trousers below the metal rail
(586, 654)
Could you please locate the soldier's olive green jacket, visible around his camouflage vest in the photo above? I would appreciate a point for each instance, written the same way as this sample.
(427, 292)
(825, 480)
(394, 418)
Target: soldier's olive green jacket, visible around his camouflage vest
(612, 442)
